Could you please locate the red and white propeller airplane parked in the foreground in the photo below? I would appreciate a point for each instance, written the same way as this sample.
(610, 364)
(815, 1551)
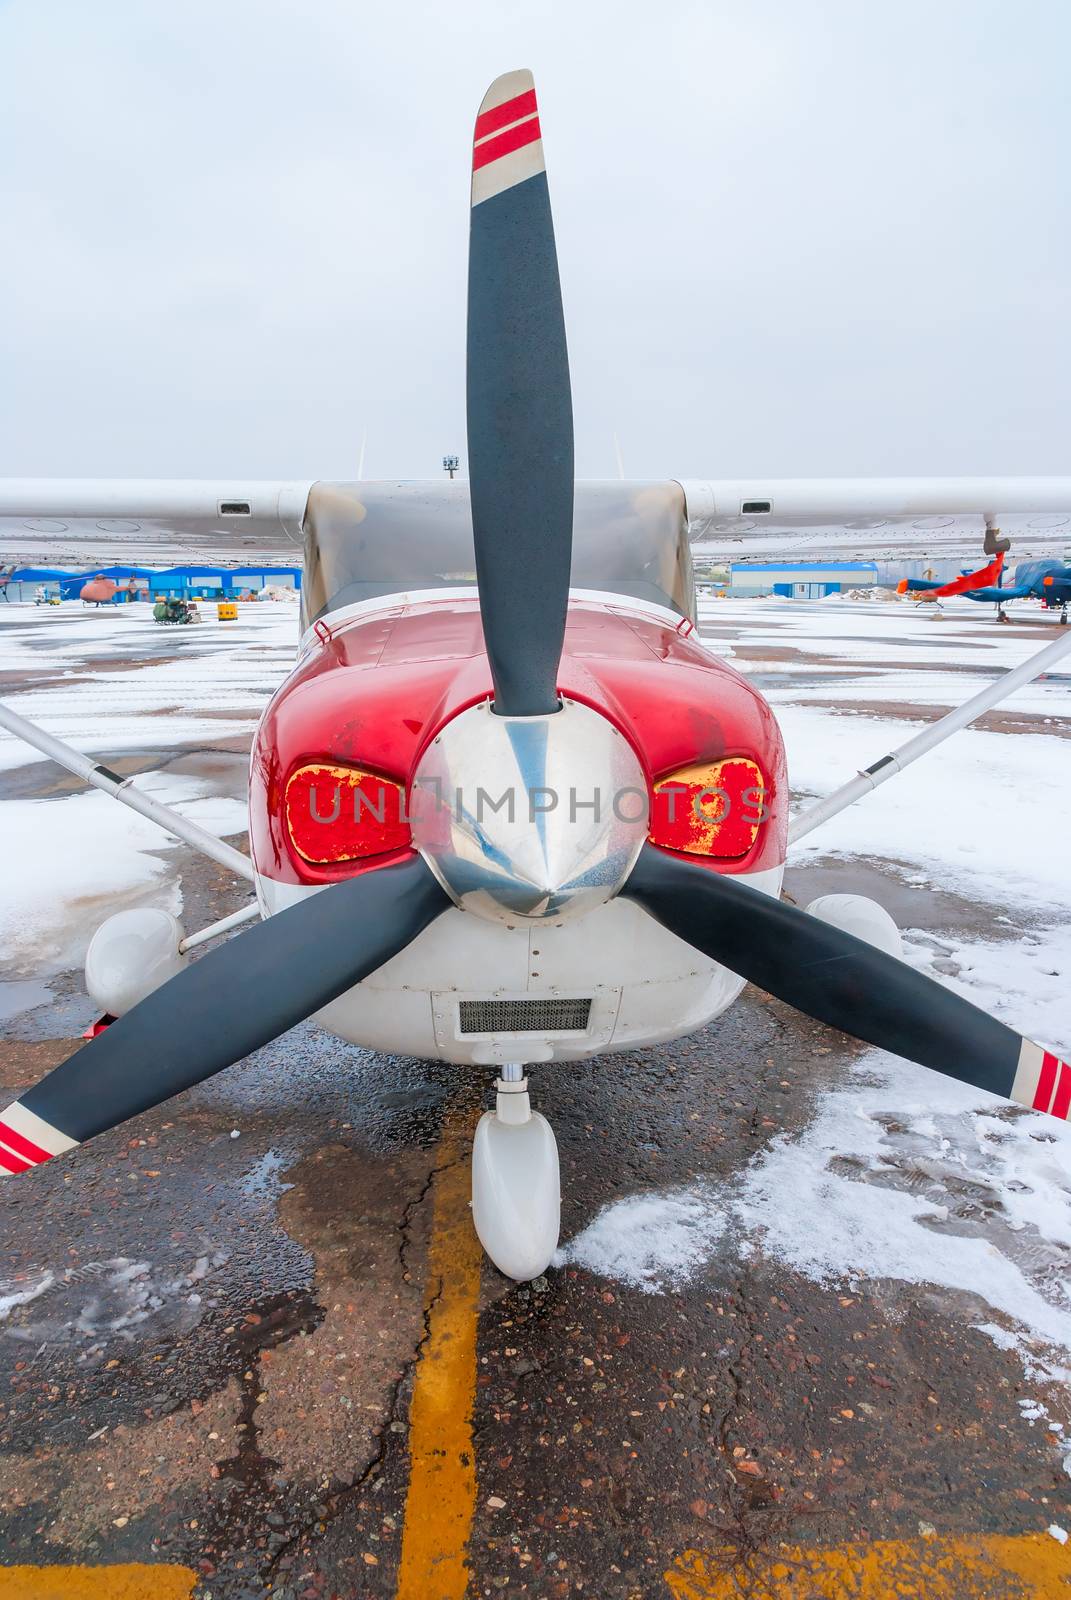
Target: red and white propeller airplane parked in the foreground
(508, 809)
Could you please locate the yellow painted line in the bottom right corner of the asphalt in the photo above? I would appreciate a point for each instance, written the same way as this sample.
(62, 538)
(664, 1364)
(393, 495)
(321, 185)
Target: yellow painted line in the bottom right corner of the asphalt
(1025, 1567)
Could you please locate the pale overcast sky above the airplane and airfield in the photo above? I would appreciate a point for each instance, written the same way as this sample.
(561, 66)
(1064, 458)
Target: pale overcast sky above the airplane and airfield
(796, 236)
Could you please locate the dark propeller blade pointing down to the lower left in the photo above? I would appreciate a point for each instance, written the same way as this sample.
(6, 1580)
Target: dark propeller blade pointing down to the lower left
(223, 1007)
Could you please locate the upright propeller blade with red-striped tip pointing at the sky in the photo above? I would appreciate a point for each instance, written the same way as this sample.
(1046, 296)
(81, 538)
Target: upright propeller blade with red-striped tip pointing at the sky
(519, 406)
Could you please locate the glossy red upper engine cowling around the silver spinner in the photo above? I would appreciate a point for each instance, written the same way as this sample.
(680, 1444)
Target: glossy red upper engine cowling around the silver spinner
(339, 745)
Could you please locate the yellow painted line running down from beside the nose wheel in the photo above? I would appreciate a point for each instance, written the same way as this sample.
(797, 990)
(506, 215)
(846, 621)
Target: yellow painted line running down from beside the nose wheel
(443, 1468)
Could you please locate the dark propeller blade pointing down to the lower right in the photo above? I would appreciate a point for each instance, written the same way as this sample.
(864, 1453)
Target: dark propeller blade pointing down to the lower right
(846, 983)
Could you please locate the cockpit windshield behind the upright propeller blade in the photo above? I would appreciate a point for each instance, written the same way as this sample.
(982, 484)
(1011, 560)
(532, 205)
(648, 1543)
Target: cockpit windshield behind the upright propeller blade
(371, 540)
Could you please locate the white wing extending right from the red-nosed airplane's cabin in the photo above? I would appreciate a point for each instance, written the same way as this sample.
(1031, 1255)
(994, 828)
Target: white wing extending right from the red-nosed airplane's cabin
(876, 518)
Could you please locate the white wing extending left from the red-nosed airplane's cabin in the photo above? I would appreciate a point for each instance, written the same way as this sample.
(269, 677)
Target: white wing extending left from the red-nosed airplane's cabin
(52, 522)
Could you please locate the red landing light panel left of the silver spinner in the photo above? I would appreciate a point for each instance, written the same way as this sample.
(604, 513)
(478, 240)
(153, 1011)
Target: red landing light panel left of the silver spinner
(343, 814)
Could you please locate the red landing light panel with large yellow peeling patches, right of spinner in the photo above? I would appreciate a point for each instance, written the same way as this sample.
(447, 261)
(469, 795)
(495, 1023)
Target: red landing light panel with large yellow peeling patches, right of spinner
(710, 810)
